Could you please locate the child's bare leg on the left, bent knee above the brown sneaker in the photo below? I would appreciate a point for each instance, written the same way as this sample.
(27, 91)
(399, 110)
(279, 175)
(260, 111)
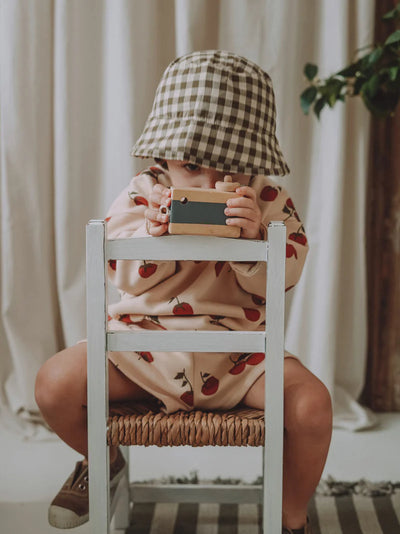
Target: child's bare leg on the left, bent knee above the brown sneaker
(60, 392)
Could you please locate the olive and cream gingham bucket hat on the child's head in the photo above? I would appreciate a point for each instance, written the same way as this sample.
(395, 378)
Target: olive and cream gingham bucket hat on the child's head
(215, 109)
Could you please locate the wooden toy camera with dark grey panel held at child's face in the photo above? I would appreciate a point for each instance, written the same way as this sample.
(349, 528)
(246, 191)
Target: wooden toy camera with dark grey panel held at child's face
(197, 211)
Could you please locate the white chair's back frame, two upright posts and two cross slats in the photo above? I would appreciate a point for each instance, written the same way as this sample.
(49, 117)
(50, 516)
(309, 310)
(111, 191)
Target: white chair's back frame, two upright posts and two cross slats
(271, 341)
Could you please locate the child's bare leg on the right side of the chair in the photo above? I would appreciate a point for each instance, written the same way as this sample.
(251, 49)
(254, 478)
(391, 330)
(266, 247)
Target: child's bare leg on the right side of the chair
(307, 435)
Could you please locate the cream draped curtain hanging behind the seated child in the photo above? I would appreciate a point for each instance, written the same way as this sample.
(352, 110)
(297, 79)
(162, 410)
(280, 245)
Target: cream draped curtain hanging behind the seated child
(77, 83)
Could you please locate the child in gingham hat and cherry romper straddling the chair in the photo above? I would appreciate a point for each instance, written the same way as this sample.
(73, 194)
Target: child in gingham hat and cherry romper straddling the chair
(213, 114)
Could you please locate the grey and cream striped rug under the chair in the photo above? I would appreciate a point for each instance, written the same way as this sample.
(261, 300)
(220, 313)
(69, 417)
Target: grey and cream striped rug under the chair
(329, 514)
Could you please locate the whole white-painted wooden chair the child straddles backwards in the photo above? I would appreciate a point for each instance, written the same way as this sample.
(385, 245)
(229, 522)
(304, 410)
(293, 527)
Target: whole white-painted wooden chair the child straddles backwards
(100, 341)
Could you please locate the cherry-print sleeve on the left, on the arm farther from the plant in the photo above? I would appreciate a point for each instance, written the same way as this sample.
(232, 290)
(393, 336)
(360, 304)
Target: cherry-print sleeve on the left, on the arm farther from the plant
(125, 219)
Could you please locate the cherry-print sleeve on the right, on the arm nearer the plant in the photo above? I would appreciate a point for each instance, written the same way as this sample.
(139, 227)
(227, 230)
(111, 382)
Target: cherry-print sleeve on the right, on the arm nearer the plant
(276, 205)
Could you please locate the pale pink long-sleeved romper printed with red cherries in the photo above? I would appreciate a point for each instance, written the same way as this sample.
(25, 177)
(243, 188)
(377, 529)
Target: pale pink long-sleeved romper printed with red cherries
(194, 295)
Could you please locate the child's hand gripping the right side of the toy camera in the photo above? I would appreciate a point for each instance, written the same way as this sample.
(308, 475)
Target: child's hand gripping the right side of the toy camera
(246, 212)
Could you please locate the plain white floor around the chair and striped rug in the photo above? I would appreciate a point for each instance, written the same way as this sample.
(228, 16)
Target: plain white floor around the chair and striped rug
(33, 471)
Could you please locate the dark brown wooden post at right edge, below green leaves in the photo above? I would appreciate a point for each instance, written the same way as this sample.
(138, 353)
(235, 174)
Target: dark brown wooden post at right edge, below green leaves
(382, 388)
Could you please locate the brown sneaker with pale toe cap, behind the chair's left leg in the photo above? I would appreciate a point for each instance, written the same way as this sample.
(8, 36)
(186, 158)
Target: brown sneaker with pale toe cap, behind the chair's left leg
(70, 507)
